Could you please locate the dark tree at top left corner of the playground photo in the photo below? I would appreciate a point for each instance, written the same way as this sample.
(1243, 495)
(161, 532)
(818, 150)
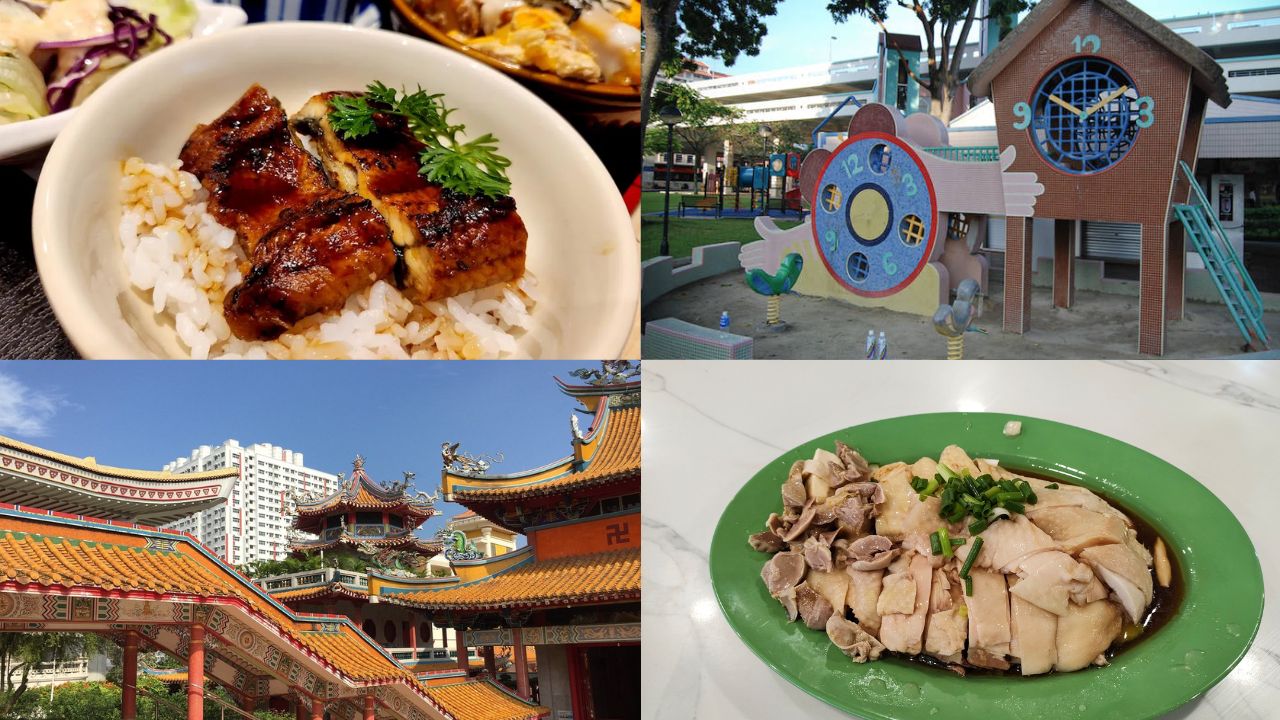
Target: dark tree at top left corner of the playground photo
(698, 29)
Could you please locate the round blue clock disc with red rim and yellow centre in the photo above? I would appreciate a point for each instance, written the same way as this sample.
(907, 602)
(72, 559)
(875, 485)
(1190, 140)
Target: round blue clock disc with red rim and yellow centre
(875, 216)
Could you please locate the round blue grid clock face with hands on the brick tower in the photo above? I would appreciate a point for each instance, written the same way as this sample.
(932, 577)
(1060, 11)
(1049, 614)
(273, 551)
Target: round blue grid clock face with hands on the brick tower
(1086, 116)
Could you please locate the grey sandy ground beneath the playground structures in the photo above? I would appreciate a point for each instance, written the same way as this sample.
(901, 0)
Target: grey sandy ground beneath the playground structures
(1100, 326)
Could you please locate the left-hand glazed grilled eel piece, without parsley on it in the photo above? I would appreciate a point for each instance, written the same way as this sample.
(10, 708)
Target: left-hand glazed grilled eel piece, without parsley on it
(310, 245)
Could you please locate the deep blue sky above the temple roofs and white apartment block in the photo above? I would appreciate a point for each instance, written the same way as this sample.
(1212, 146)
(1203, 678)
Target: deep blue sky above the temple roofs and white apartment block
(396, 414)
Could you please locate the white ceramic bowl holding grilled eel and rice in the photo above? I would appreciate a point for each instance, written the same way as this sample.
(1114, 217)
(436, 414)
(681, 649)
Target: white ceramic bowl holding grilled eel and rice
(582, 247)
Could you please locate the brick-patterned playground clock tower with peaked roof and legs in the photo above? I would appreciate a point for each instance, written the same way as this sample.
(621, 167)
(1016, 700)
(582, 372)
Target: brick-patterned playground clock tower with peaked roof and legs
(1101, 102)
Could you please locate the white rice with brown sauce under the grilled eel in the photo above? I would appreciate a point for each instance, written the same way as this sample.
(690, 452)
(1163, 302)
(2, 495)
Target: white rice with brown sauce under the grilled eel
(179, 256)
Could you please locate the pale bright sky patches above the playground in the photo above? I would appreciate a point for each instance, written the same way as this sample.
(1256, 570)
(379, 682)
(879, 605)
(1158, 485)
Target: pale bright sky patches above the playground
(799, 34)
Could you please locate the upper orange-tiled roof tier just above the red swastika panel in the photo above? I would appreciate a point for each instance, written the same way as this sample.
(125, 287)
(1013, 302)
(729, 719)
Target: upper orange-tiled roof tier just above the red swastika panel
(618, 458)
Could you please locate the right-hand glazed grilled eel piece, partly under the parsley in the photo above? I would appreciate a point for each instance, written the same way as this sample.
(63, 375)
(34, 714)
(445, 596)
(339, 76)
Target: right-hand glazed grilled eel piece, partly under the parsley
(451, 243)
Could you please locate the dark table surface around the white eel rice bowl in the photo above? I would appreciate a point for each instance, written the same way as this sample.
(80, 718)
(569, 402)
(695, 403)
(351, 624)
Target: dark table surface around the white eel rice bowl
(29, 329)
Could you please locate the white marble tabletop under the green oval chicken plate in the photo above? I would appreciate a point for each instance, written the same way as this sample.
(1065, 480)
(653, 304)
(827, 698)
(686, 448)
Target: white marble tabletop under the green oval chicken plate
(710, 426)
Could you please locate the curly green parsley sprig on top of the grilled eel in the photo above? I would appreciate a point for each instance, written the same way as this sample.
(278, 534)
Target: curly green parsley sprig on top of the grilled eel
(470, 167)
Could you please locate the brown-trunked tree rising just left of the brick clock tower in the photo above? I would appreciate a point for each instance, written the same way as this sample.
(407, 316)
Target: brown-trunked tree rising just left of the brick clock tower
(947, 26)
